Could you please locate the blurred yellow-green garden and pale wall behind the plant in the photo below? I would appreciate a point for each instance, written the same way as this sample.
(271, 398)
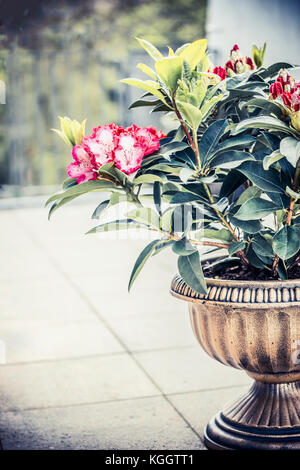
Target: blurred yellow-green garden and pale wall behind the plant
(66, 57)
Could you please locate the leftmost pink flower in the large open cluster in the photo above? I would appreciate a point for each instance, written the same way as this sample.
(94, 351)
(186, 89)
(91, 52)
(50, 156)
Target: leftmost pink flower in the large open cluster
(83, 166)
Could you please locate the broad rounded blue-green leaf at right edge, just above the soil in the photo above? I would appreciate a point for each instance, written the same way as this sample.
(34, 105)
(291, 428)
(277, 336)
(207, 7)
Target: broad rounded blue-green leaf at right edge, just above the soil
(286, 242)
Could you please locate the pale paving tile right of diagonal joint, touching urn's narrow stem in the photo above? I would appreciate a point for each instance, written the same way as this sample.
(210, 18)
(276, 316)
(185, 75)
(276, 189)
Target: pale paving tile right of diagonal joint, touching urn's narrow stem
(188, 369)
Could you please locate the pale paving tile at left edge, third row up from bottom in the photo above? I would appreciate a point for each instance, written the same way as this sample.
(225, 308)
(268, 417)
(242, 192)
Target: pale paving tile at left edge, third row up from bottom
(29, 341)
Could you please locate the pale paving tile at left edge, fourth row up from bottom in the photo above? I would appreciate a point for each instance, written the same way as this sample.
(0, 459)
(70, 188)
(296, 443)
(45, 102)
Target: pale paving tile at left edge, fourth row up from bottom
(45, 298)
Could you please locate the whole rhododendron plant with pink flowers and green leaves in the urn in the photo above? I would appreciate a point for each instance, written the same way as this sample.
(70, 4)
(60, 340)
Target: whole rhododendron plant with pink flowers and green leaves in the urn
(225, 179)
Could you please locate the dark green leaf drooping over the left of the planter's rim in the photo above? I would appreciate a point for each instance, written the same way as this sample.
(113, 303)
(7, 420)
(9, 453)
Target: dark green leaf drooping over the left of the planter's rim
(190, 270)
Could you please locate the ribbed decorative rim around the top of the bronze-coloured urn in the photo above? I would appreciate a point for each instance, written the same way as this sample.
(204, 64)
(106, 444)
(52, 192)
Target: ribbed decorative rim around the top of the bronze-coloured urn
(252, 294)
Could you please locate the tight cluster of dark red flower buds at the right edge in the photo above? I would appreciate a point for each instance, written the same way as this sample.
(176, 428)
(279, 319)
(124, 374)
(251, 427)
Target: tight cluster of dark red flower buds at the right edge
(288, 90)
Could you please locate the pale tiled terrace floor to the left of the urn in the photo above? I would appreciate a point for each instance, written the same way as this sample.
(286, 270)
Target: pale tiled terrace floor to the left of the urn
(89, 366)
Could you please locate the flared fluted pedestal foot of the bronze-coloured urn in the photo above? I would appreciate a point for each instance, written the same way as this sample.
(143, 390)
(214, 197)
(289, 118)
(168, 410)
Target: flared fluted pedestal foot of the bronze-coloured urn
(265, 418)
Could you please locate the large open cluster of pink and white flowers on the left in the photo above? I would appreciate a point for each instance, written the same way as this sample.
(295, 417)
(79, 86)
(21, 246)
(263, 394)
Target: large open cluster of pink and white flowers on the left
(112, 143)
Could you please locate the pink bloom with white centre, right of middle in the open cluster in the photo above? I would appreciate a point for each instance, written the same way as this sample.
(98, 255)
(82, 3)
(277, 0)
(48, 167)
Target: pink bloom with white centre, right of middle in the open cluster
(129, 153)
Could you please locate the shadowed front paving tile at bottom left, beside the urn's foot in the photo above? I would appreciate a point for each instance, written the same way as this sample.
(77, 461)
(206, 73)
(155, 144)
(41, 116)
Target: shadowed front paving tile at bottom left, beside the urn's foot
(147, 423)
